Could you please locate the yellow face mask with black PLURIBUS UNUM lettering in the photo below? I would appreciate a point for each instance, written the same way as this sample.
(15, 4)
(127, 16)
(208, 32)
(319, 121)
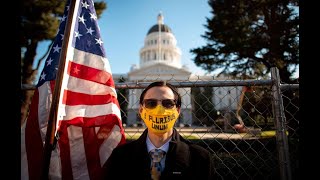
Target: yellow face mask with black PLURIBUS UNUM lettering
(159, 120)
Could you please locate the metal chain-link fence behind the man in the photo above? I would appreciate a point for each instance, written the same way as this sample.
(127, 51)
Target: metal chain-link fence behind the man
(251, 127)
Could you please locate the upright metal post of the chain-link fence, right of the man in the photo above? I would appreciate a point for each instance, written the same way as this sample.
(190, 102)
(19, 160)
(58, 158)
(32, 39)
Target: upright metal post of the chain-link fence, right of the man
(280, 124)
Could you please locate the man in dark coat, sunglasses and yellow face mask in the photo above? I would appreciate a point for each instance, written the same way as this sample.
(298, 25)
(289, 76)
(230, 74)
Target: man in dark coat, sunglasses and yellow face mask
(159, 108)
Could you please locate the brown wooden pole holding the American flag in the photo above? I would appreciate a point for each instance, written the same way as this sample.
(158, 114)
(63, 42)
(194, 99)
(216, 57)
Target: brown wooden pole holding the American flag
(53, 114)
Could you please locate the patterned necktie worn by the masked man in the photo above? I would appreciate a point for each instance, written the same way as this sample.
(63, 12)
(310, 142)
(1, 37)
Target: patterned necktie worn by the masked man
(156, 156)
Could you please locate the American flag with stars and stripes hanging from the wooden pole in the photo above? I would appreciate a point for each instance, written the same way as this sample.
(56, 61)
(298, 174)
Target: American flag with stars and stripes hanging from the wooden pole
(89, 120)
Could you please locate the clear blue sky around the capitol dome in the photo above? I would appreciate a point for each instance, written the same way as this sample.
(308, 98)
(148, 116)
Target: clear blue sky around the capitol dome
(125, 23)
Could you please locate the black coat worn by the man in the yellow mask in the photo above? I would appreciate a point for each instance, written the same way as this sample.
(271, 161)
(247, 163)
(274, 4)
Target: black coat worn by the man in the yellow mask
(183, 161)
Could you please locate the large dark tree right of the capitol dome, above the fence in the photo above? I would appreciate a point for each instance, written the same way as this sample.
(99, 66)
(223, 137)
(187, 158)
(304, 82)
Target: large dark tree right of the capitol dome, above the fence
(247, 38)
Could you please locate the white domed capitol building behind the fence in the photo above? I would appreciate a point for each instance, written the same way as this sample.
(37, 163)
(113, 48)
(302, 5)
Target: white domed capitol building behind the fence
(160, 59)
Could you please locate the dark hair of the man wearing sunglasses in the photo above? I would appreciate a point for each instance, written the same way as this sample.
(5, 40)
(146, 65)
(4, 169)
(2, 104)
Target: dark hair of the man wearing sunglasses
(177, 96)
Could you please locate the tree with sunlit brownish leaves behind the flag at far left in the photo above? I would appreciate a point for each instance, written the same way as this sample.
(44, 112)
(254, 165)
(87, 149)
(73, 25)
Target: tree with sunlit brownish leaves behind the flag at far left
(39, 22)
